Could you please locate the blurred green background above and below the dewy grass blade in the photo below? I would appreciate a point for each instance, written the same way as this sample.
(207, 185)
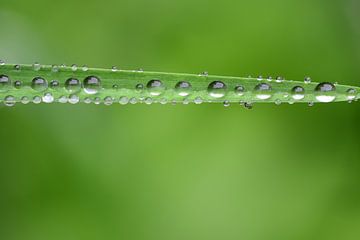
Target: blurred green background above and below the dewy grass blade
(183, 172)
